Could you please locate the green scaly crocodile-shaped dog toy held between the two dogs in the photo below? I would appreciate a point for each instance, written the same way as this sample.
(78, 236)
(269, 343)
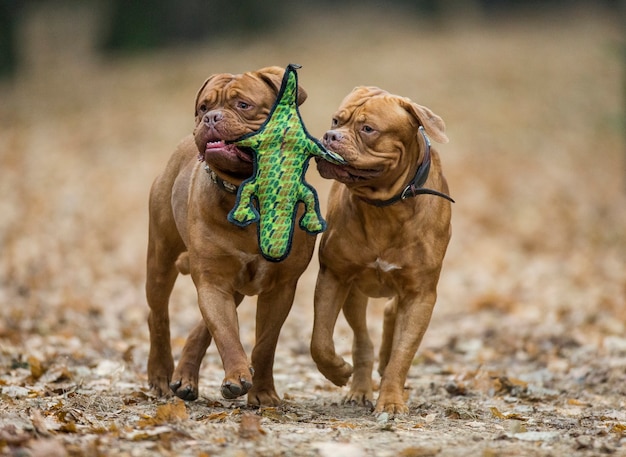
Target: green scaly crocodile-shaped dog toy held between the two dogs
(282, 149)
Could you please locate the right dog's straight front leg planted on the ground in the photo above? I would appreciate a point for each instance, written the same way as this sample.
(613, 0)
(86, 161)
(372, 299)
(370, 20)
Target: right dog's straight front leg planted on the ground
(412, 319)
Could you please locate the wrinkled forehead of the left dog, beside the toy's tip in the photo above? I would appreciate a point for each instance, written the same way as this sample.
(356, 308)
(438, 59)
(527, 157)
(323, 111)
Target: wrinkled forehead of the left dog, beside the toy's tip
(227, 86)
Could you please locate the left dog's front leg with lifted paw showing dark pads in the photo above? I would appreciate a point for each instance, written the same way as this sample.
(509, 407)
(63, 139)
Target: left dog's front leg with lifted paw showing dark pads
(219, 311)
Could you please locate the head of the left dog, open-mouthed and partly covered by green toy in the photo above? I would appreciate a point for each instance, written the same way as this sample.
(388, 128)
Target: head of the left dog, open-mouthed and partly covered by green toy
(230, 106)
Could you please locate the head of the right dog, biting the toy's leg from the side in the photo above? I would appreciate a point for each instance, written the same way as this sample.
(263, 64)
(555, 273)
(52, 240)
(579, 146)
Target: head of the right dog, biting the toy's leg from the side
(377, 134)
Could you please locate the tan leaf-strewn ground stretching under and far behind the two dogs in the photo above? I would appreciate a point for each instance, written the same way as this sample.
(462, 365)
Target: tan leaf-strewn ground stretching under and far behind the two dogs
(526, 352)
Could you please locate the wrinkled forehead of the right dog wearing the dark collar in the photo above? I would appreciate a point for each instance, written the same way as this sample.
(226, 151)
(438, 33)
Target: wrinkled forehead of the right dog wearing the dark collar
(381, 108)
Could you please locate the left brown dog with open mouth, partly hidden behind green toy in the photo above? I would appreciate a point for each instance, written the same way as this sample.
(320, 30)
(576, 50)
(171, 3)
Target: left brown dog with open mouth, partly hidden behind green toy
(190, 233)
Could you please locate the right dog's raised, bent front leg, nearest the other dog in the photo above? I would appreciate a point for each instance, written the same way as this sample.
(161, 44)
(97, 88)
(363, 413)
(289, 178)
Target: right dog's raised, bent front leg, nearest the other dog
(330, 295)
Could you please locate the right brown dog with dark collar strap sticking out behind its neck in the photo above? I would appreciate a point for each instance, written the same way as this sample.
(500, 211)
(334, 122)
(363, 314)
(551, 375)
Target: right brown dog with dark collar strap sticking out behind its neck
(384, 239)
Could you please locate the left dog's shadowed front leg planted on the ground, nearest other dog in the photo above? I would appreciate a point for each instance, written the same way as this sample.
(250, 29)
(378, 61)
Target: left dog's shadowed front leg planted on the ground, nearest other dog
(272, 310)
